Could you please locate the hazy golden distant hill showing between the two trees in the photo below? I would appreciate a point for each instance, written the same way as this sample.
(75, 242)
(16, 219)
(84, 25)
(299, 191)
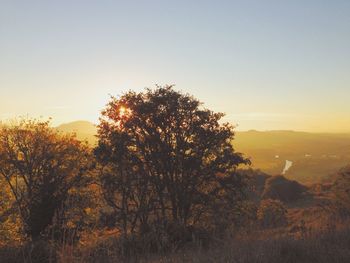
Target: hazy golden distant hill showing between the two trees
(84, 130)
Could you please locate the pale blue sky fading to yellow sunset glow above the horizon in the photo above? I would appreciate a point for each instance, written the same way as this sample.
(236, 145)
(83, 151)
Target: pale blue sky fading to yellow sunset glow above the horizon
(269, 65)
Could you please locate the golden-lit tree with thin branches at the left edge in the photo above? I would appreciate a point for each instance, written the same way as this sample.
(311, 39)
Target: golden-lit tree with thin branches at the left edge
(40, 166)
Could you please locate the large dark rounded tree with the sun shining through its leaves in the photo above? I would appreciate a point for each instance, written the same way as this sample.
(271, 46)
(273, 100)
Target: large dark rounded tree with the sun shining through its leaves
(165, 157)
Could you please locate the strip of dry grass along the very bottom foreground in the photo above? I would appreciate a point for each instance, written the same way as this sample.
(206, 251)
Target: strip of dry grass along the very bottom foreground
(329, 246)
